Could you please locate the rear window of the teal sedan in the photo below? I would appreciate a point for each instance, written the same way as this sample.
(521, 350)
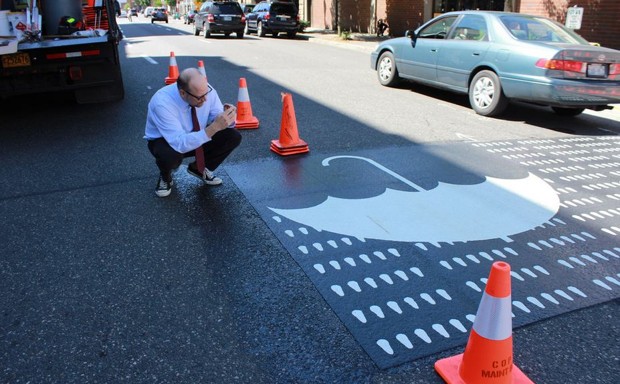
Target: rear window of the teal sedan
(540, 29)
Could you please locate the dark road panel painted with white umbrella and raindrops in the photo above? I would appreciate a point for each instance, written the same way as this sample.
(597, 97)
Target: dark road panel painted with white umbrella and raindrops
(406, 299)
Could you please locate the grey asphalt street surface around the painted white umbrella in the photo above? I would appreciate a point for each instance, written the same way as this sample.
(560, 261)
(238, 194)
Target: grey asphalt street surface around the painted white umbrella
(103, 282)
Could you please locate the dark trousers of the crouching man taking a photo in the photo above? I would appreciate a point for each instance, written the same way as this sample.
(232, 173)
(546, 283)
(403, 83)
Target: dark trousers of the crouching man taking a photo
(216, 150)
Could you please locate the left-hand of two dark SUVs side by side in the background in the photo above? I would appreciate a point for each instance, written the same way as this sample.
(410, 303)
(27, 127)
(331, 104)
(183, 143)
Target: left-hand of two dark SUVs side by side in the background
(220, 17)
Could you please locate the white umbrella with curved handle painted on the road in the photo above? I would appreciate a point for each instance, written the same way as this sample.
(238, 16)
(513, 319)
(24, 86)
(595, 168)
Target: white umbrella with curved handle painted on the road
(495, 208)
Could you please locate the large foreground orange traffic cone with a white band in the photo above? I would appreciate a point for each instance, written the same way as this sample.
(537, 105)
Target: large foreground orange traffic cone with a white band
(488, 357)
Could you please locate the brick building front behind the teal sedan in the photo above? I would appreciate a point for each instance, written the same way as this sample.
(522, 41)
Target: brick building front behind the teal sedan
(600, 19)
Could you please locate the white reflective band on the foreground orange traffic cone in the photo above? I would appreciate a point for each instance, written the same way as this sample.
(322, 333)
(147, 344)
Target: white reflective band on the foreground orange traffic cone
(494, 318)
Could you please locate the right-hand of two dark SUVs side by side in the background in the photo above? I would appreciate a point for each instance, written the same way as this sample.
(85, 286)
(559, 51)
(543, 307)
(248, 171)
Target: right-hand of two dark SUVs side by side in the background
(273, 18)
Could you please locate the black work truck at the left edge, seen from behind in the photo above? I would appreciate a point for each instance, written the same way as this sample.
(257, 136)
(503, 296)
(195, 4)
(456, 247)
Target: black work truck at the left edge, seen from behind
(76, 50)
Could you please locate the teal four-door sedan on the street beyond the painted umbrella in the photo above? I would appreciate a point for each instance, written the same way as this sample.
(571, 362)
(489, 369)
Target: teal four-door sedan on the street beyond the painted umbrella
(495, 57)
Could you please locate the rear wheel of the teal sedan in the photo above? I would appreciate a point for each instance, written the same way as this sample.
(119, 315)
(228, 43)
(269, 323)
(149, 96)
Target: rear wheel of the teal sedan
(485, 94)
